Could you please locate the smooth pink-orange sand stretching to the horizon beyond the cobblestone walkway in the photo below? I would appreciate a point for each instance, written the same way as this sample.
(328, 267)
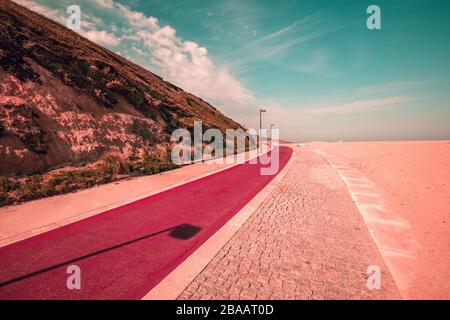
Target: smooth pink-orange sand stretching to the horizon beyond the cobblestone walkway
(413, 177)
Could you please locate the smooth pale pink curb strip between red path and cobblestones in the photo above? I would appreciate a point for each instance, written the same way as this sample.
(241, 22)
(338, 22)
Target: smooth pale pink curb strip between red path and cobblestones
(180, 278)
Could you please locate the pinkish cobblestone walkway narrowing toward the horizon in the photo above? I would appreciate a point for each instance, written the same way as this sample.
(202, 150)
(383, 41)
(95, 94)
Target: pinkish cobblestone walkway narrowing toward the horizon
(306, 241)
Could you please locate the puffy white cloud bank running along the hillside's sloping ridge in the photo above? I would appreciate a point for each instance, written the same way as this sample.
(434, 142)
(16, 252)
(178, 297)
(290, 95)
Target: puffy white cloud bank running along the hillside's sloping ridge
(159, 48)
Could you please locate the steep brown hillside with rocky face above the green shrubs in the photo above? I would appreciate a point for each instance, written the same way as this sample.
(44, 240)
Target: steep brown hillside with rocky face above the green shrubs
(67, 101)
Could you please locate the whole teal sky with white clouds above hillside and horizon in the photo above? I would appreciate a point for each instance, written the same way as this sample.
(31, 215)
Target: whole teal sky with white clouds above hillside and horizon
(314, 65)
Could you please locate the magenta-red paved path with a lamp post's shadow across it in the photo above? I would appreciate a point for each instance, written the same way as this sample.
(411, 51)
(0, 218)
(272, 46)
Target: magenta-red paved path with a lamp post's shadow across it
(125, 252)
